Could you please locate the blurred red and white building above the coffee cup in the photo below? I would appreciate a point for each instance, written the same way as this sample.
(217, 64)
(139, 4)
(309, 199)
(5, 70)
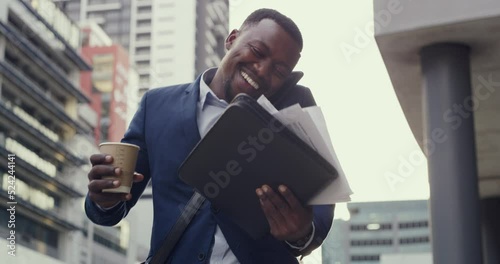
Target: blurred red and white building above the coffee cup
(111, 84)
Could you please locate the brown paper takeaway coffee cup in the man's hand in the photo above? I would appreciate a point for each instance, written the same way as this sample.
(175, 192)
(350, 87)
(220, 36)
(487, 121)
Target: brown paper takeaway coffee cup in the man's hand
(124, 157)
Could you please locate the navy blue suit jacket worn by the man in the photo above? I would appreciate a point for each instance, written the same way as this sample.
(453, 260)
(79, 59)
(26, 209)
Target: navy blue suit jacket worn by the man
(166, 130)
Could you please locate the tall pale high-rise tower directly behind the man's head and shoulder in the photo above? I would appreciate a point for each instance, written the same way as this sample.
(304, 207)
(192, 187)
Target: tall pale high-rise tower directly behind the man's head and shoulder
(169, 41)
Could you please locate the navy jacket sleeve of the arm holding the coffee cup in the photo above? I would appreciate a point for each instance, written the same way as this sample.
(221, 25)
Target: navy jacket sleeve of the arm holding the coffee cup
(134, 135)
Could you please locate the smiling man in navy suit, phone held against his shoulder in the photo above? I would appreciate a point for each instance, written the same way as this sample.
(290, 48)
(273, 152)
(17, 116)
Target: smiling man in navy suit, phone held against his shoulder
(170, 121)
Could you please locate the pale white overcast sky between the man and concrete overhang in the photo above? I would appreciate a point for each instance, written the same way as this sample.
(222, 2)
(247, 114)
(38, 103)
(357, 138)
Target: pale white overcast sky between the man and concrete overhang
(346, 73)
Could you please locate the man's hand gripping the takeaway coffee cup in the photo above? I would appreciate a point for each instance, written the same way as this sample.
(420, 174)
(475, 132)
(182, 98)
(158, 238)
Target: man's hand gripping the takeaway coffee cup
(102, 167)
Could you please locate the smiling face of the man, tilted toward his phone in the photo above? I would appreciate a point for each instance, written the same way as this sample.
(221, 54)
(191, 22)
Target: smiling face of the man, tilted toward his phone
(259, 59)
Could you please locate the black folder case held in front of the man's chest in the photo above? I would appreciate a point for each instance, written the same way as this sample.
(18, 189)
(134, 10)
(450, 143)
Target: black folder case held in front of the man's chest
(245, 149)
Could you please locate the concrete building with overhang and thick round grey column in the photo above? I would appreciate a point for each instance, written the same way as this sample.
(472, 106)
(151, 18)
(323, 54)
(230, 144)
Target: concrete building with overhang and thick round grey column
(443, 58)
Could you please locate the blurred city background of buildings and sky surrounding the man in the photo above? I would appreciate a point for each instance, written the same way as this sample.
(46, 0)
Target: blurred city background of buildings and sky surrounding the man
(72, 73)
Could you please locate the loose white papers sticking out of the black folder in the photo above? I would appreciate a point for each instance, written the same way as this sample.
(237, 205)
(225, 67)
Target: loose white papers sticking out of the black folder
(309, 125)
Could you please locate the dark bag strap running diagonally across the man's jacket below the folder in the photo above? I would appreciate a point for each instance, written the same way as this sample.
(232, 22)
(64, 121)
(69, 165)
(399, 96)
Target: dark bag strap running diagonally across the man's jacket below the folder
(161, 254)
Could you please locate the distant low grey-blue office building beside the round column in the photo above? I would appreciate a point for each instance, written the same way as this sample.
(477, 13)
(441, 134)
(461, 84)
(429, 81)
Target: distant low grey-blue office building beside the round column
(378, 229)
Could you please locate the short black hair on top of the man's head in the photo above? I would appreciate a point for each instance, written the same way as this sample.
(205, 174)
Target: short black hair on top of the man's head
(285, 22)
